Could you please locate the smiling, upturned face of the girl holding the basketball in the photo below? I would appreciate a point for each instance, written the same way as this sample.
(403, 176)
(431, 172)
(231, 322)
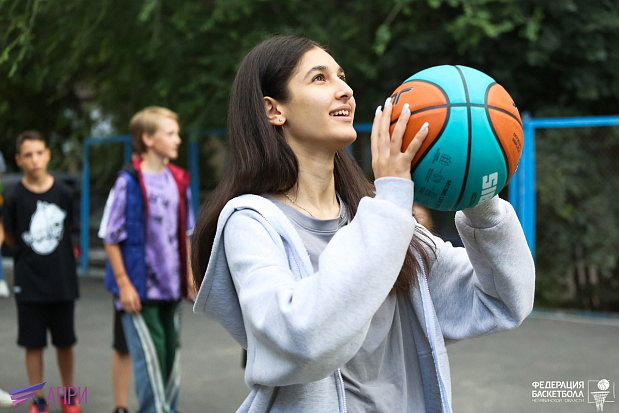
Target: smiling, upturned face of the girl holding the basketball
(319, 114)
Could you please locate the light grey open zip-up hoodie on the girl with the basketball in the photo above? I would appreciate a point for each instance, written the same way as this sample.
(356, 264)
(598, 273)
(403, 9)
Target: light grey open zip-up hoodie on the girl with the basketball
(299, 326)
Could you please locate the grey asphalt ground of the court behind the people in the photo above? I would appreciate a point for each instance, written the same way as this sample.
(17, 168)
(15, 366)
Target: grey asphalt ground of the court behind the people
(490, 374)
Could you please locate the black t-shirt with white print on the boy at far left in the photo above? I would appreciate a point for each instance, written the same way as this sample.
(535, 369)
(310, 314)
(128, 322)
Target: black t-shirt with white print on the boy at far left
(45, 268)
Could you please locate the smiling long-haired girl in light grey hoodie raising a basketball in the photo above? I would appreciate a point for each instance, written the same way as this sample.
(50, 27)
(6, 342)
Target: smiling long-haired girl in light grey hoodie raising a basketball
(343, 302)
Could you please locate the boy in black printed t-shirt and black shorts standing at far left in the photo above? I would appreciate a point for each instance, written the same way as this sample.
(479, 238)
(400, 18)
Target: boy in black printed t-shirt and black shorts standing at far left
(37, 213)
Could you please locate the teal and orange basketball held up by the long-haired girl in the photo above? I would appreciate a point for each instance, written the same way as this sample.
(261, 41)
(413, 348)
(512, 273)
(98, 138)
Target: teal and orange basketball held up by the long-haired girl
(475, 135)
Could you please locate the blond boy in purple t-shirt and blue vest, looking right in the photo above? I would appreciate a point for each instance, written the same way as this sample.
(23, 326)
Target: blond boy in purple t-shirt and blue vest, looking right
(147, 247)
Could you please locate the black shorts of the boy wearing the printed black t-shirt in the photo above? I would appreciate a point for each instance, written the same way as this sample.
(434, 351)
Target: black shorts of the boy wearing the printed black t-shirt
(34, 319)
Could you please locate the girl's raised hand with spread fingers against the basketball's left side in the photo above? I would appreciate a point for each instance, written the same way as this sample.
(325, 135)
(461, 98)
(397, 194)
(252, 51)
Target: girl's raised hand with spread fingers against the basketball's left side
(387, 156)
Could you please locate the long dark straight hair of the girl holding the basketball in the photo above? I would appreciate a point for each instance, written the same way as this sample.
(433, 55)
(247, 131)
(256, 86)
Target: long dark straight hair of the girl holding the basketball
(261, 161)
